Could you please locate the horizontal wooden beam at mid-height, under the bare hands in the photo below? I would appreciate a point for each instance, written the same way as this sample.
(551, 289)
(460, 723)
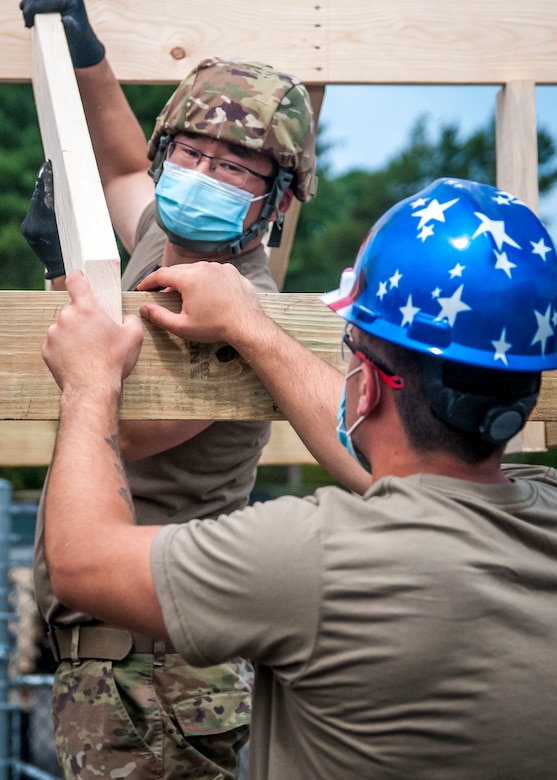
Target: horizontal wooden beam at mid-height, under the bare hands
(172, 380)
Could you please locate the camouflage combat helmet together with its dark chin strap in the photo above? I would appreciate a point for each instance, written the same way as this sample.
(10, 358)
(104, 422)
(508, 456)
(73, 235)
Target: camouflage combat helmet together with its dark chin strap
(248, 105)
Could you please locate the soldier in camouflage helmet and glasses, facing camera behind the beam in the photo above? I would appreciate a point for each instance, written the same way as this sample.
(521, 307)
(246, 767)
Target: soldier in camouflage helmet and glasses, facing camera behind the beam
(230, 150)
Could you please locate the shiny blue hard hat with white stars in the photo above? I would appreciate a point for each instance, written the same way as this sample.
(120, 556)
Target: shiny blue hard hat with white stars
(460, 270)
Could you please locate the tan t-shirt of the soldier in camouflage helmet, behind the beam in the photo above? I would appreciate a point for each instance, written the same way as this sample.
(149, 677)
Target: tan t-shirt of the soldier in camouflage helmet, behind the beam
(211, 473)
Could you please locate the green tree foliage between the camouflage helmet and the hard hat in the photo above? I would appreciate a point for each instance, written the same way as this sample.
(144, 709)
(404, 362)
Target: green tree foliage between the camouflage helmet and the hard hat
(333, 225)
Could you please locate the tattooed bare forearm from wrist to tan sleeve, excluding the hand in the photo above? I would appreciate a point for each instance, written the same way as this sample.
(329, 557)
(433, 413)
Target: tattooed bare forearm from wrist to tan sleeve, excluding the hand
(98, 559)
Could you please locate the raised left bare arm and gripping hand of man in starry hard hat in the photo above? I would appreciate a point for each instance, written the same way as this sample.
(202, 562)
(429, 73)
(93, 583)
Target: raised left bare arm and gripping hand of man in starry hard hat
(98, 558)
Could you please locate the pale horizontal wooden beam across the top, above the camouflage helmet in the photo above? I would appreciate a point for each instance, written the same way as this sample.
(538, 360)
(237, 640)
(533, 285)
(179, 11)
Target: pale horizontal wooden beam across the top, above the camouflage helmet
(329, 42)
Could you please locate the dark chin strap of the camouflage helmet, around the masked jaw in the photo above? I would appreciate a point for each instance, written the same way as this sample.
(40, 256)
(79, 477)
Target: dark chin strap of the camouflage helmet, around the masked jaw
(237, 245)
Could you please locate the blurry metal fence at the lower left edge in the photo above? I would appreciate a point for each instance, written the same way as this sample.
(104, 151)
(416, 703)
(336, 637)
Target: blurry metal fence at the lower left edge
(26, 740)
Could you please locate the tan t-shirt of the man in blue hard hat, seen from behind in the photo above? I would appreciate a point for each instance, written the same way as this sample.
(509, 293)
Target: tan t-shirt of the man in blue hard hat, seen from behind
(410, 634)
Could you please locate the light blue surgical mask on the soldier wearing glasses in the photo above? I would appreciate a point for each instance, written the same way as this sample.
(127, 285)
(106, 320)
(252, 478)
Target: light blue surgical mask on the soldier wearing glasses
(198, 208)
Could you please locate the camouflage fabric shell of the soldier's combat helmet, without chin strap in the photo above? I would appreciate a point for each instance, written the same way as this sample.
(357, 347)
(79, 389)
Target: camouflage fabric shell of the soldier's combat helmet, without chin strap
(249, 104)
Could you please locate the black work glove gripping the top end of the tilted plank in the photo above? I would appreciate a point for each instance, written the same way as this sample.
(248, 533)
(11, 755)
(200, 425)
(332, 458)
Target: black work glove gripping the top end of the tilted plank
(85, 47)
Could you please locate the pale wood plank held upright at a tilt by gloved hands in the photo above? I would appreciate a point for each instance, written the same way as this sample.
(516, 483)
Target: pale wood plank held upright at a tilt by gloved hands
(86, 233)
